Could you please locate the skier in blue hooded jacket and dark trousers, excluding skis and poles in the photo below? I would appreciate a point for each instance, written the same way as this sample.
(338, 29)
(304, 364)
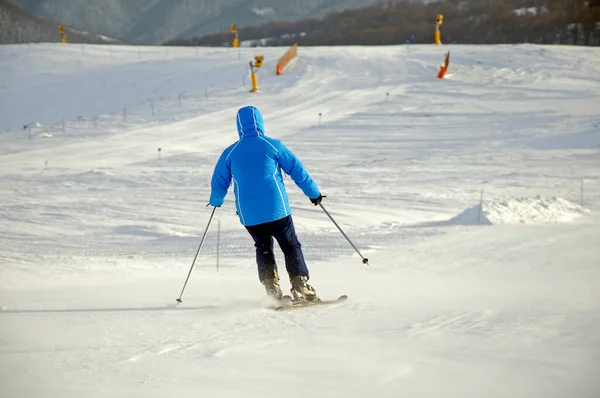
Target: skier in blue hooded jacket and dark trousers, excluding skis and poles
(254, 164)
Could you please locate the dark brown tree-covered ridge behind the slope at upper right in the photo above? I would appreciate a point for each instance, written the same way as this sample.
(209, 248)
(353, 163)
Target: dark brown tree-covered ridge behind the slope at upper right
(465, 22)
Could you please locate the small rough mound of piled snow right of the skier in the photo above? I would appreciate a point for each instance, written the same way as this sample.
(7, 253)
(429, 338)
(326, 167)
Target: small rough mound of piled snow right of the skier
(536, 210)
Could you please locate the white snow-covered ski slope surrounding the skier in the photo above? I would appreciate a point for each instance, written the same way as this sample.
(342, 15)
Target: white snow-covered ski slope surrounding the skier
(99, 228)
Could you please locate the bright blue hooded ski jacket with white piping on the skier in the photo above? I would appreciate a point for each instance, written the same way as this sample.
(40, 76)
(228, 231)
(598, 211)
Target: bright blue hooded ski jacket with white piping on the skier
(254, 164)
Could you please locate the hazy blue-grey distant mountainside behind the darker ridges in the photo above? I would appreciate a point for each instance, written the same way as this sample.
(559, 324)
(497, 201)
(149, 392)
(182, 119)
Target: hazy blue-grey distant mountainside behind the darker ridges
(157, 21)
